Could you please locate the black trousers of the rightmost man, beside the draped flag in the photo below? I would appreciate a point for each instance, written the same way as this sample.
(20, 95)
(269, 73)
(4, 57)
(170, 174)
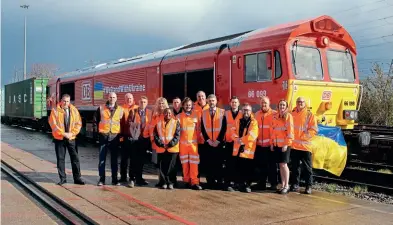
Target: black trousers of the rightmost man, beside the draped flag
(305, 158)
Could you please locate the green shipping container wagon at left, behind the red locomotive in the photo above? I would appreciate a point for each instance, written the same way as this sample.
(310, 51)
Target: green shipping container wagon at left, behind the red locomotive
(25, 103)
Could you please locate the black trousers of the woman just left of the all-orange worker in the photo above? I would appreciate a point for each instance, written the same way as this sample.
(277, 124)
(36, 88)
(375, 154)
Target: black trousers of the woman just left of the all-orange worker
(167, 167)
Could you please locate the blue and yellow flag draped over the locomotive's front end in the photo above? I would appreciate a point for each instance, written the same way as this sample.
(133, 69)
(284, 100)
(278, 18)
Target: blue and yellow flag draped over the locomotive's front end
(329, 150)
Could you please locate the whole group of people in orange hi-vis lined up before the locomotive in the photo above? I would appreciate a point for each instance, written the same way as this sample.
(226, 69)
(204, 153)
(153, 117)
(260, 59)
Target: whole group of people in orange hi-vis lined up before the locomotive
(227, 146)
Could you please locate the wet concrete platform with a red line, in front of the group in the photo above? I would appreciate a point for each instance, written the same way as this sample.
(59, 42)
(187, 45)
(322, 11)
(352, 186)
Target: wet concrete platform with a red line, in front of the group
(149, 205)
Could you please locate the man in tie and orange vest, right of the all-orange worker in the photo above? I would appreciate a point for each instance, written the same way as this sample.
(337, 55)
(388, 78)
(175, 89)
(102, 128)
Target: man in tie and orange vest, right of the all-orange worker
(213, 128)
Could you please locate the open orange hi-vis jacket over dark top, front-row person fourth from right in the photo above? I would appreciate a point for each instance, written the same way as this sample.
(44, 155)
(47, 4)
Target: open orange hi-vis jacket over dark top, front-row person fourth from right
(249, 139)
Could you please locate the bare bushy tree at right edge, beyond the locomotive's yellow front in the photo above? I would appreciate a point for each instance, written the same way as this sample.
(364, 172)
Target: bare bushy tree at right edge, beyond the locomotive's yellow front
(377, 103)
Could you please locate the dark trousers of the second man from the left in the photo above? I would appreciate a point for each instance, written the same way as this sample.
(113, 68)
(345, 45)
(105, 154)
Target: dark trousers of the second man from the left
(112, 145)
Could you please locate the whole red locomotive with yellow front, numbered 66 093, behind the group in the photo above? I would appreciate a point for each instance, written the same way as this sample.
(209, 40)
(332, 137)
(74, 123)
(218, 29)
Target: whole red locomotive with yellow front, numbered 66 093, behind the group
(314, 58)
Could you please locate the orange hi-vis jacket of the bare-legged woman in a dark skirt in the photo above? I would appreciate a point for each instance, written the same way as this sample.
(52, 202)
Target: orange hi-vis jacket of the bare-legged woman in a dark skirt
(281, 130)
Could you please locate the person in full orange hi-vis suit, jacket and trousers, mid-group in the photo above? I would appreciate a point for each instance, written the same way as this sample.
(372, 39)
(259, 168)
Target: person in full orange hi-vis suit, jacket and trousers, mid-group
(189, 132)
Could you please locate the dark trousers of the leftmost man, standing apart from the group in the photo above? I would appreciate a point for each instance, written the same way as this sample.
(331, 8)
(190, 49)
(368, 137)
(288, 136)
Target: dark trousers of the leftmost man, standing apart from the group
(61, 146)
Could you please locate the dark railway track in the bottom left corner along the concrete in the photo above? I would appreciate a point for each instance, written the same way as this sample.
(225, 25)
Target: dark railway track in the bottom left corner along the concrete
(58, 207)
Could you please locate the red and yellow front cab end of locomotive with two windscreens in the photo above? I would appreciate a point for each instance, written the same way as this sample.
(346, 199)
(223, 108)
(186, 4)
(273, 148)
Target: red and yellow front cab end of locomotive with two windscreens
(322, 69)
